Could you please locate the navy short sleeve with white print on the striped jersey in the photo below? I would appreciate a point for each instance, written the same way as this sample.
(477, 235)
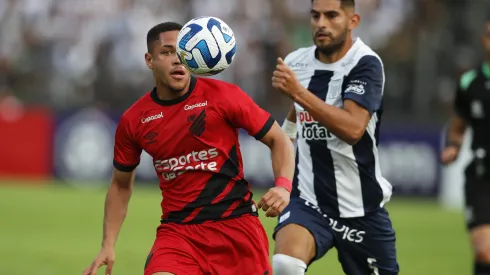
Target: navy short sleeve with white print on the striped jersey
(365, 83)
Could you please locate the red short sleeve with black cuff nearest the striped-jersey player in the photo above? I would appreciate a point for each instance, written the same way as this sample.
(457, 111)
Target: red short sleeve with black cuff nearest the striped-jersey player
(244, 113)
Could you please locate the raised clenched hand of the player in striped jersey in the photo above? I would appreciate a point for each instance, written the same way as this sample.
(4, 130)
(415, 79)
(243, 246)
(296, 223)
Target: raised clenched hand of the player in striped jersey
(285, 80)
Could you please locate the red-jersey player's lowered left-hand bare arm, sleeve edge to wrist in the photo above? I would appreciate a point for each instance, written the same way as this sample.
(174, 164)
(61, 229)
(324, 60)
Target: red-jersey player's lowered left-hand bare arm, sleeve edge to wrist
(116, 205)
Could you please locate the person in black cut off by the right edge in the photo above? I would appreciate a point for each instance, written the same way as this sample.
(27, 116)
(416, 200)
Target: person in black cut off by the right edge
(472, 108)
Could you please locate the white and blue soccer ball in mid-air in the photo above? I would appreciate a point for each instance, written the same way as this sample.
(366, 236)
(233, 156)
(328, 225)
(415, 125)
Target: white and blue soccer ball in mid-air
(206, 45)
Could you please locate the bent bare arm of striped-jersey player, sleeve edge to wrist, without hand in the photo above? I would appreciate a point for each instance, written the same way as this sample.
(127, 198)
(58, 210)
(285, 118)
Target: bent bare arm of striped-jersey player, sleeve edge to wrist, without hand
(348, 124)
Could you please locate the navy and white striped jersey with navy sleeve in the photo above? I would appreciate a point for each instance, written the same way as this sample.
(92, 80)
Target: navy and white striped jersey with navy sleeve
(340, 179)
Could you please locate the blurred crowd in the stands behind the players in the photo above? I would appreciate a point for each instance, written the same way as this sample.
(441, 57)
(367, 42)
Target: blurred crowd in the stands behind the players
(67, 54)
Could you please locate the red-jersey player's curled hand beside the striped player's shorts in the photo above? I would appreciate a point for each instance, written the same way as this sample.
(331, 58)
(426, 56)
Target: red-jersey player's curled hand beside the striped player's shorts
(274, 201)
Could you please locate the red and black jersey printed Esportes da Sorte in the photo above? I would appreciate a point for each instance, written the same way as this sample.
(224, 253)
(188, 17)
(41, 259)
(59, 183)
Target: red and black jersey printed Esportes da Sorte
(193, 141)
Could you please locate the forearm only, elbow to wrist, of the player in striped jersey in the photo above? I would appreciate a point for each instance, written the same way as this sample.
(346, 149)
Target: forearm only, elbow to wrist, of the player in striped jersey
(338, 121)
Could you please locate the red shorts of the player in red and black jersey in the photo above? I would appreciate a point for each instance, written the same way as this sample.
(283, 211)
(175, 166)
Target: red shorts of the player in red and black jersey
(235, 246)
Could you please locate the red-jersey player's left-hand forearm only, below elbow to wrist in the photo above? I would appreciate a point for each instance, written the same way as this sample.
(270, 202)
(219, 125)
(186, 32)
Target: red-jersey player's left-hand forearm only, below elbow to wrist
(116, 207)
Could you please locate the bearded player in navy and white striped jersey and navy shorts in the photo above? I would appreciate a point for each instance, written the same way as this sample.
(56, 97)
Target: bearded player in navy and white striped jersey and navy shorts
(338, 193)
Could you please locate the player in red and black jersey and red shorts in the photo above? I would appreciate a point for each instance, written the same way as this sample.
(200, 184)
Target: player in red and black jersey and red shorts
(190, 127)
